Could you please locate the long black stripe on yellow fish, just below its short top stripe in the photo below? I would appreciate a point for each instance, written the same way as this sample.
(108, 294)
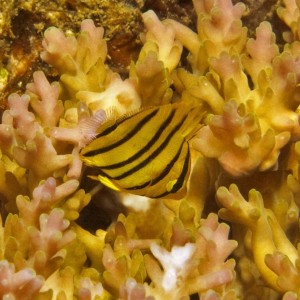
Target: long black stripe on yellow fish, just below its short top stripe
(135, 130)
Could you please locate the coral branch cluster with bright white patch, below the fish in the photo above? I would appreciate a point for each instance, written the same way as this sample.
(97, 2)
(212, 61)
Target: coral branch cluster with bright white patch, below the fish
(201, 265)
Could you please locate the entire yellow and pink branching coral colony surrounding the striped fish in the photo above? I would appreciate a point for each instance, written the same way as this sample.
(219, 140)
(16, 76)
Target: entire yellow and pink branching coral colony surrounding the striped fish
(245, 167)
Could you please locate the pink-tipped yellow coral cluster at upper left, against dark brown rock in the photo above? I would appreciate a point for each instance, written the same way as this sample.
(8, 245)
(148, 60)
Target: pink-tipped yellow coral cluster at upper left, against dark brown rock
(79, 61)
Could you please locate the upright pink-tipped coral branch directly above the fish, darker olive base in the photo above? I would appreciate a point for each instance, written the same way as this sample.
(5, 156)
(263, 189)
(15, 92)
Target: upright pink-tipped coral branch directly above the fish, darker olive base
(158, 57)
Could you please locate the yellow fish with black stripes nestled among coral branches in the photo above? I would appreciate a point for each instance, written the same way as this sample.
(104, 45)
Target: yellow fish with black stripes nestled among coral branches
(146, 152)
